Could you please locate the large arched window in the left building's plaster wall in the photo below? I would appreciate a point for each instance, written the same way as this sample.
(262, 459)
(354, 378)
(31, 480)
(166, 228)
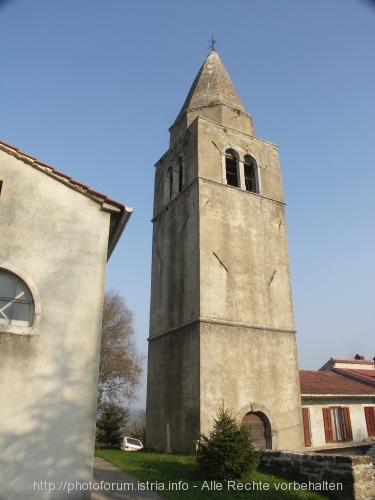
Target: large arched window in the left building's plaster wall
(16, 301)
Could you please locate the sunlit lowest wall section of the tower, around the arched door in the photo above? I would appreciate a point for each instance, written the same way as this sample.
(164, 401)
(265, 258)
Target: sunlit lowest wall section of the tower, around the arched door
(238, 367)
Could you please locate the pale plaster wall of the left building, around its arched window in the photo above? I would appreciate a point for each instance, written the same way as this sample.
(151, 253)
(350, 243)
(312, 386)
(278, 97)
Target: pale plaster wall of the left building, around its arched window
(57, 237)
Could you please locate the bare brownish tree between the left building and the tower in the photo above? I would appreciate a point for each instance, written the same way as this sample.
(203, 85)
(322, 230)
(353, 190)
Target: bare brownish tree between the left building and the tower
(120, 366)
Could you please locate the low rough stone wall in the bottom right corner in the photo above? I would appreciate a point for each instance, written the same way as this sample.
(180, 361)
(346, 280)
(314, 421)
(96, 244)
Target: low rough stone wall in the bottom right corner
(354, 473)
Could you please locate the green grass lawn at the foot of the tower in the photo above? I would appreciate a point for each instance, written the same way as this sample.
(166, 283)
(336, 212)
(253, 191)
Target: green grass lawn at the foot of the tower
(167, 469)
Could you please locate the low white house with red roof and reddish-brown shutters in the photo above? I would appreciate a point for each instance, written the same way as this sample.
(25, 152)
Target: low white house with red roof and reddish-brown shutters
(338, 404)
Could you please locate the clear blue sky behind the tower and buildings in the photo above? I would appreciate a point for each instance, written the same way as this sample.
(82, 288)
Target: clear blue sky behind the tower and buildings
(92, 86)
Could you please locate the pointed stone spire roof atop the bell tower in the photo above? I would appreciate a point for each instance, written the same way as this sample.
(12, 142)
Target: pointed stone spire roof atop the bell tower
(212, 85)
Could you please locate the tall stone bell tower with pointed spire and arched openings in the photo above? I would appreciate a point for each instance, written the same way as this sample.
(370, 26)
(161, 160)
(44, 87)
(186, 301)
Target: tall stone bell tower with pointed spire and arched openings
(221, 326)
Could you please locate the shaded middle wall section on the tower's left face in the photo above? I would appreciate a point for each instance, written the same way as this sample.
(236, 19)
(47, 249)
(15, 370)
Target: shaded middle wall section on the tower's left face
(175, 264)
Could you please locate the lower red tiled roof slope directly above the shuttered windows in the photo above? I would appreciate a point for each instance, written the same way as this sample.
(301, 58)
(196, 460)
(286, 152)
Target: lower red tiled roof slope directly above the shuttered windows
(315, 383)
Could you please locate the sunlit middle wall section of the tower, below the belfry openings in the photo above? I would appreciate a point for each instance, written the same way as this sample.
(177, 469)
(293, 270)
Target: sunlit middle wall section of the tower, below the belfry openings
(250, 283)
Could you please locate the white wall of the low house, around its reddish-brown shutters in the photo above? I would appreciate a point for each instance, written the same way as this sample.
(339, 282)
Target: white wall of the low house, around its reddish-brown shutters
(357, 418)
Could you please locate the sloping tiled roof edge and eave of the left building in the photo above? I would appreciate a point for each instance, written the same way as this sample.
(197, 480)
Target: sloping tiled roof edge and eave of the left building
(120, 213)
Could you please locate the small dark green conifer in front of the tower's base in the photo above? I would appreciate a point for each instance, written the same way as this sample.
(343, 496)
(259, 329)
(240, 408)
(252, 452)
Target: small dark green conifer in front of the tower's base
(228, 451)
